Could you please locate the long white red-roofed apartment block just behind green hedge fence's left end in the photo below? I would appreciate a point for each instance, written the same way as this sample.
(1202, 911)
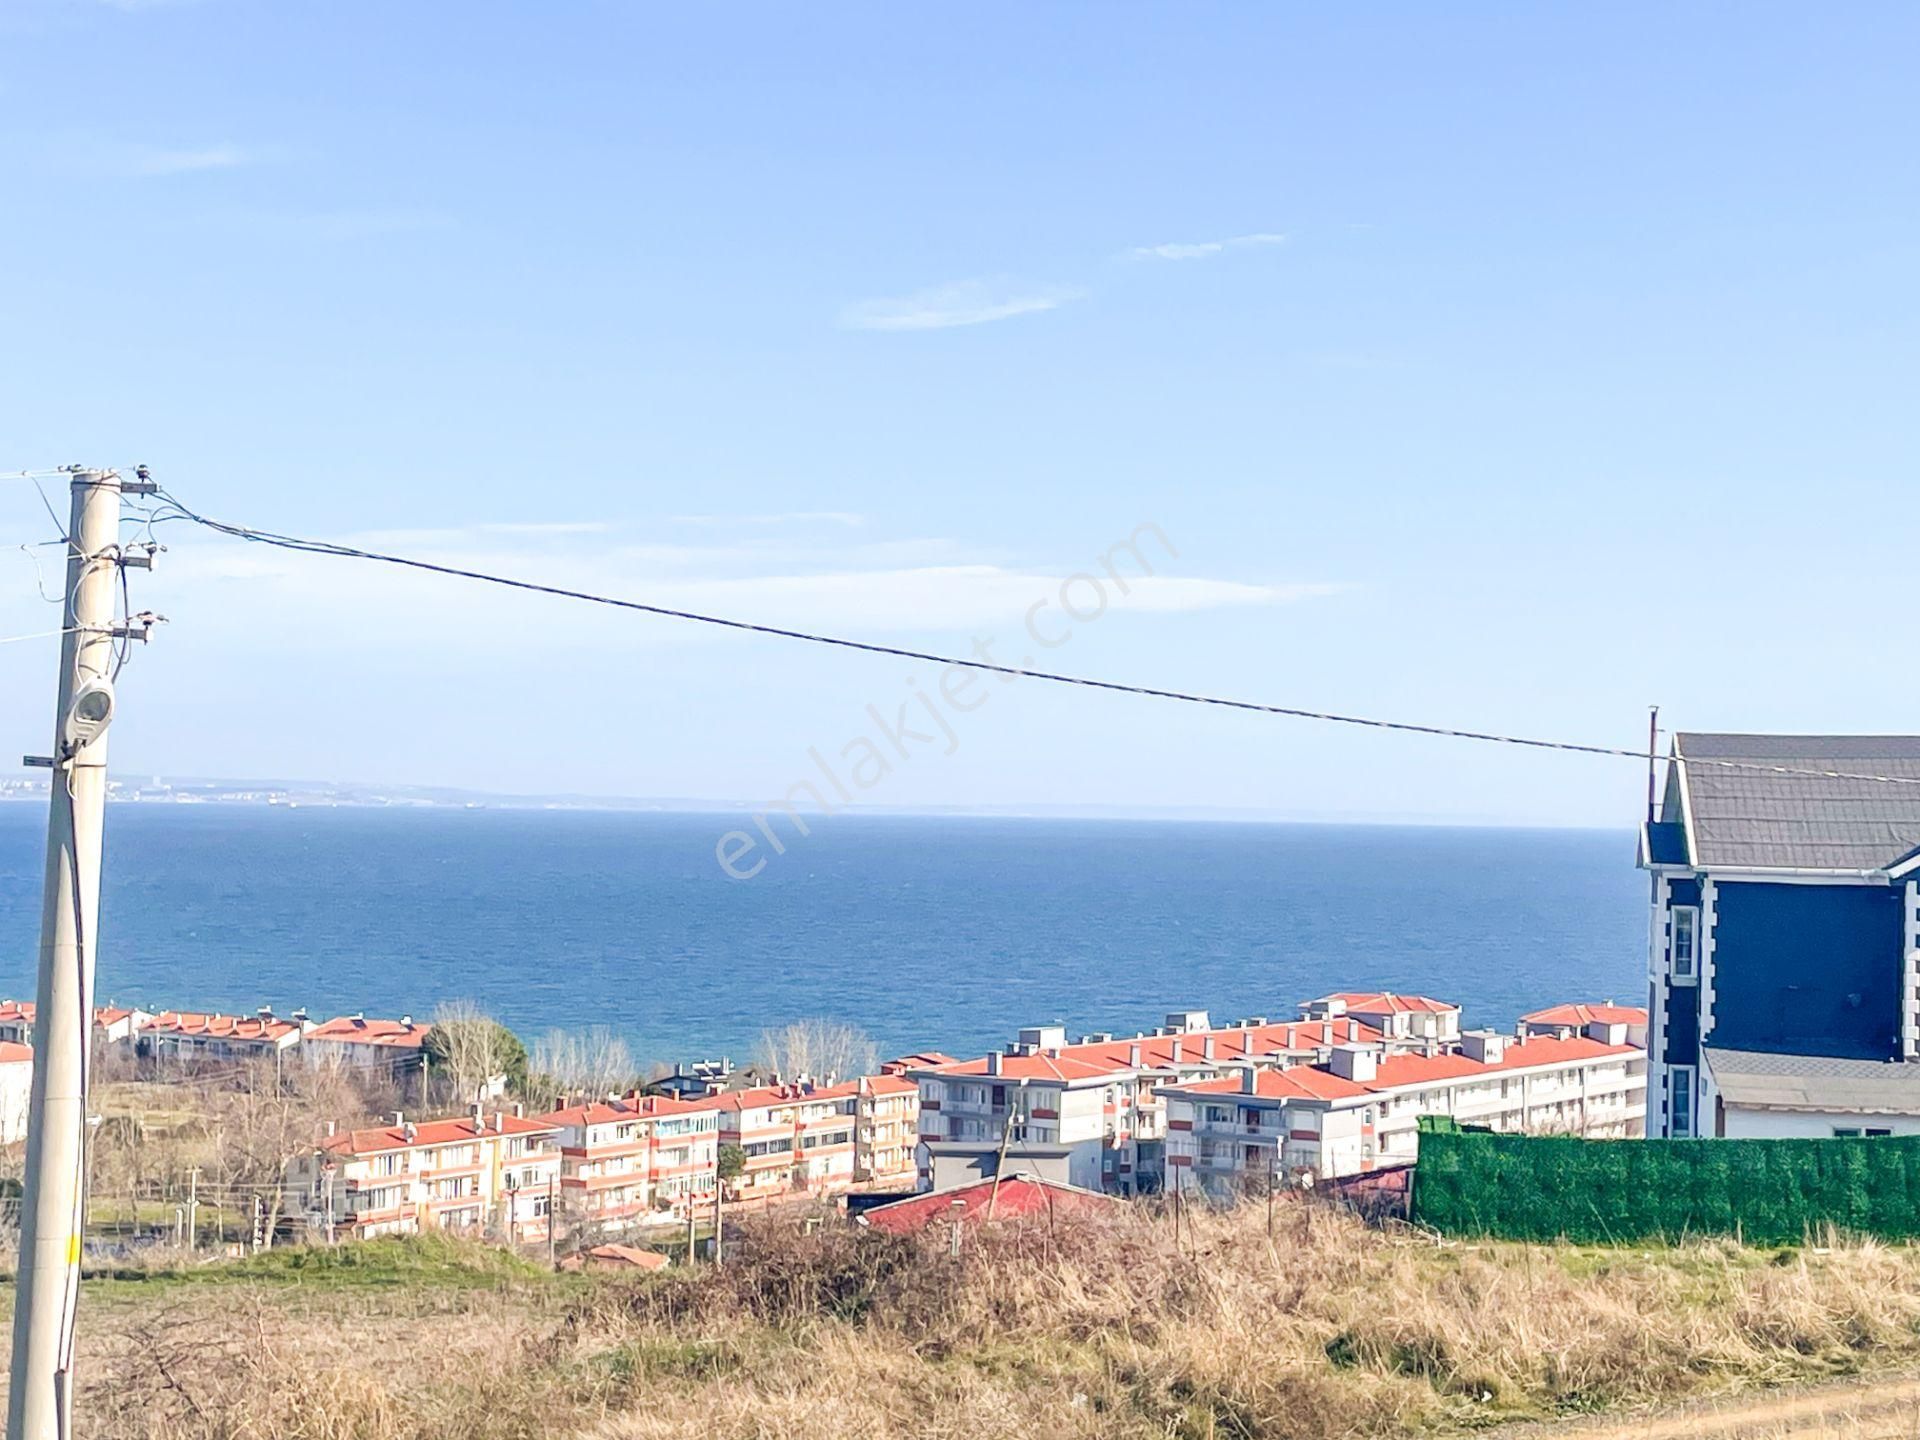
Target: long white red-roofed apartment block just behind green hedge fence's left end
(1362, 1109)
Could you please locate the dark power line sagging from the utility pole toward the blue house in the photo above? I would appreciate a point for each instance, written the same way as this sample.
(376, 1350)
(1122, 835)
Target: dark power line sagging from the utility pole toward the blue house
(180, 512)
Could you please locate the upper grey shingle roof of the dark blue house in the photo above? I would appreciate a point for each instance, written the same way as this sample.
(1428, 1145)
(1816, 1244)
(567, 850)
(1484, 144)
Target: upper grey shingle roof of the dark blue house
(1802, 823)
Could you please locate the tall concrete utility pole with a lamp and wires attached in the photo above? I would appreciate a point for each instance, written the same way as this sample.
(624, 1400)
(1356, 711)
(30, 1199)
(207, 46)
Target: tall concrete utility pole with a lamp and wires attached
(49, 1289)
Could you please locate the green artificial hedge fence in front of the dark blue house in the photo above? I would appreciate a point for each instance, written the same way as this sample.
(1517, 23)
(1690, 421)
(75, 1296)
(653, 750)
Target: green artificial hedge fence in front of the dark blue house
(1525, 1188)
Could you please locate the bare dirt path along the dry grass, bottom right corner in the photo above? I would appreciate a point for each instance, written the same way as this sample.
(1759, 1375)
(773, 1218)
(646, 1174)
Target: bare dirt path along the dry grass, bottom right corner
(1860, 1410)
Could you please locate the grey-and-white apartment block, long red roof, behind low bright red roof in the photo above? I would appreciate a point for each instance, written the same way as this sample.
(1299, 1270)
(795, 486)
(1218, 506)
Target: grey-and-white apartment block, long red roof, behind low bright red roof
(1101, 1097)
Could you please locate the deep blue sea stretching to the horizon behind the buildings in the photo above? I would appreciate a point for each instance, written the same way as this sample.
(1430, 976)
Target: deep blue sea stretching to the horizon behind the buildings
(923, 930)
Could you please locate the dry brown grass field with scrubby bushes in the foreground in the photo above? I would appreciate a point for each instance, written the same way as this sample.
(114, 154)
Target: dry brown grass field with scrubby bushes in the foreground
(1095, 1330)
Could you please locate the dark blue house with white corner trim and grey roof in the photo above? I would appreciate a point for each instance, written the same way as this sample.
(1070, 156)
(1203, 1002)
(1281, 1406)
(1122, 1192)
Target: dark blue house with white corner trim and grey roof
(1785, 948)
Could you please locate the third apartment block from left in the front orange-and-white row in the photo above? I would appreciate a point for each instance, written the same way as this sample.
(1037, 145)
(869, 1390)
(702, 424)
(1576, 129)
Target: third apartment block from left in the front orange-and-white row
(796, 1138)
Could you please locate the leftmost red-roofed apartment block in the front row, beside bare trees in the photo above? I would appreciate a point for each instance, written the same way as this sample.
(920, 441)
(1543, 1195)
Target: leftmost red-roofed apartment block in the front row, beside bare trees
(487, 1174)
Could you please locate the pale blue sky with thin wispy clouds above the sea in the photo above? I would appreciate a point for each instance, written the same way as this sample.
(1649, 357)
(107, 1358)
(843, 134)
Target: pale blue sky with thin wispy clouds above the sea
(1487, 368)
